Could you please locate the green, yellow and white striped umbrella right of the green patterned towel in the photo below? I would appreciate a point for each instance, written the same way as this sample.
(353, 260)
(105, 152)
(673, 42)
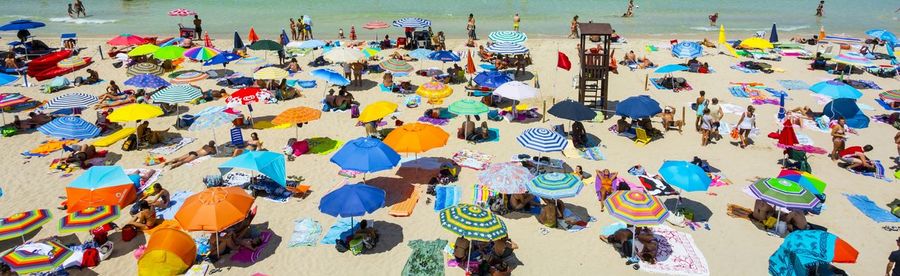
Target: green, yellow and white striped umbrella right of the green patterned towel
(472, 222)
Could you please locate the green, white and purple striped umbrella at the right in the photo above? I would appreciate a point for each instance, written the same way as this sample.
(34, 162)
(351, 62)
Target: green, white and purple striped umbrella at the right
(784, 193)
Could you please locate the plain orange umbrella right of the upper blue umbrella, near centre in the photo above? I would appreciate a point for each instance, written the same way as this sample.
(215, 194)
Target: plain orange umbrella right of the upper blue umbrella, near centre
(416, 137)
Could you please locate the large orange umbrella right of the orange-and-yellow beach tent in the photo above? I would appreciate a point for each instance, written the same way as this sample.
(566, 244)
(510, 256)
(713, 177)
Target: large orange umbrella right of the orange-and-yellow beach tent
(214, 209)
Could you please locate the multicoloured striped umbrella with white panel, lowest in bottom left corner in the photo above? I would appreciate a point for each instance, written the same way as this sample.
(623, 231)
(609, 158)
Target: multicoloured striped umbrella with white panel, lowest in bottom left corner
(36, 257)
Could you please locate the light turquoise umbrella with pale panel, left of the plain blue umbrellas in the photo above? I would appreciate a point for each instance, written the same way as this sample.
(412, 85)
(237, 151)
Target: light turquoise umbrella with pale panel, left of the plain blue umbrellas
(268, 163)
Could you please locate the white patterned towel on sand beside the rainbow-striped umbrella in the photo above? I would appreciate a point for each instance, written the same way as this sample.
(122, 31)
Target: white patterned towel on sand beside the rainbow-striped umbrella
(677, 255)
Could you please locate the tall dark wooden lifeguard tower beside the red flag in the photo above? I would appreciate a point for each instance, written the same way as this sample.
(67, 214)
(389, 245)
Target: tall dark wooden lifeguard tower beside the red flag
(593, 80)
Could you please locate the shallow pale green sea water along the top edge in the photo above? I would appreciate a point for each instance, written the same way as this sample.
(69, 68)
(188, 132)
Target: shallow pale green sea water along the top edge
(663, 18)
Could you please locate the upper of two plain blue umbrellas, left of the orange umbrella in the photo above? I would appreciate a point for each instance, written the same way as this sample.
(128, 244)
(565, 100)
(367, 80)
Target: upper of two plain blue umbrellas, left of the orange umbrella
(365, 155)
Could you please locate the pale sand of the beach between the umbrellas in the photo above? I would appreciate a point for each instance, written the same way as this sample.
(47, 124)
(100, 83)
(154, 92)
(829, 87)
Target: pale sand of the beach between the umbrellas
(730, 246)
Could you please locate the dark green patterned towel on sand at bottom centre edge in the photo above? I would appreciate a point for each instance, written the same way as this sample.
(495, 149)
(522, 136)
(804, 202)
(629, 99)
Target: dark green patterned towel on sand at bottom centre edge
(426, 258)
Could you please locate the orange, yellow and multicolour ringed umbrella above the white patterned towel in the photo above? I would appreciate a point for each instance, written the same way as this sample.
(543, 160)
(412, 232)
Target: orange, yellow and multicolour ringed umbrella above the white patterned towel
(636, 208)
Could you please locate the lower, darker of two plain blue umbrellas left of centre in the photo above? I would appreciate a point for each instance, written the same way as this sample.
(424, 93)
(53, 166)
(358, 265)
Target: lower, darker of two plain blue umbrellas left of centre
(352, 200)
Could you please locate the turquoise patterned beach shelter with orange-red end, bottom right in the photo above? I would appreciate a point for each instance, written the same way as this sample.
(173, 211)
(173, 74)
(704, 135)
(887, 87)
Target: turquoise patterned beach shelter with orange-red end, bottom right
(810, 252)
